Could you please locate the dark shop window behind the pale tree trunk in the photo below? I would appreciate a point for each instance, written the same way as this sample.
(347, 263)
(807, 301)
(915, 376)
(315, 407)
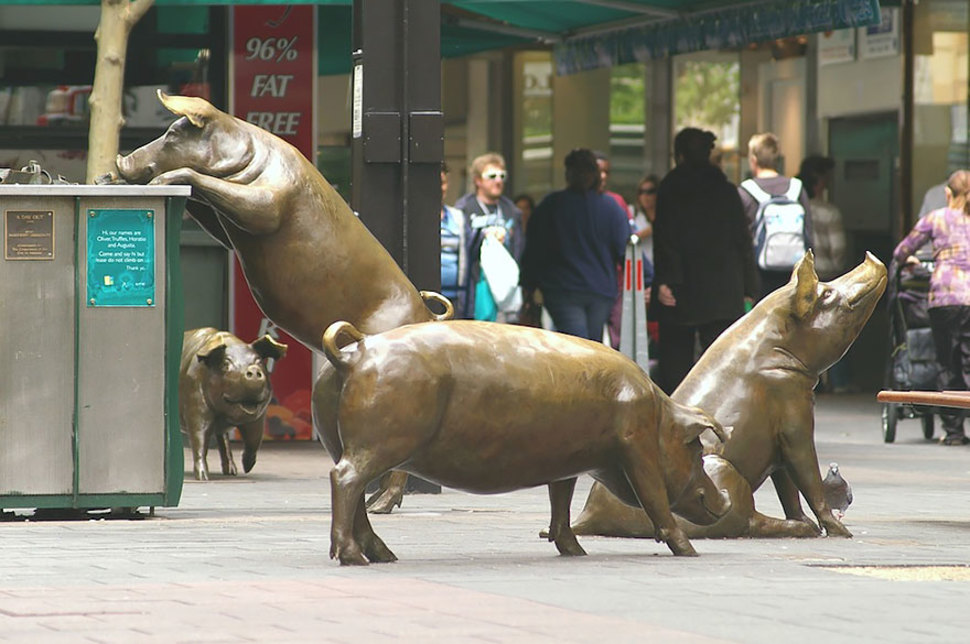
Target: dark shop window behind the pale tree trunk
(47, 62)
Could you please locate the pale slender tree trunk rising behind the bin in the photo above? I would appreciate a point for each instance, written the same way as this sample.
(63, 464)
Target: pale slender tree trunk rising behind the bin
(104, 133)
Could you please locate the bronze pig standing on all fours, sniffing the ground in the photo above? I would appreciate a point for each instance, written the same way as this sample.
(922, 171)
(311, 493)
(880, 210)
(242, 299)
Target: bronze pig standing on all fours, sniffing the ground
(490, 408)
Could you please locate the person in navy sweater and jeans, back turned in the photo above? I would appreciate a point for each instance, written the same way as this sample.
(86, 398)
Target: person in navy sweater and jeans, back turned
(575, 240)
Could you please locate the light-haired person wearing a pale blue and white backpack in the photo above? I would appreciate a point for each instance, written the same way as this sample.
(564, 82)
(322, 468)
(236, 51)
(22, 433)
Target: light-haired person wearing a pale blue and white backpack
(778, 213)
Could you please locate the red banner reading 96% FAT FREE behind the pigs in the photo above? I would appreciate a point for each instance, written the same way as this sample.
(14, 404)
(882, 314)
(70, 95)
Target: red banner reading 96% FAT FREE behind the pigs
(273, 86)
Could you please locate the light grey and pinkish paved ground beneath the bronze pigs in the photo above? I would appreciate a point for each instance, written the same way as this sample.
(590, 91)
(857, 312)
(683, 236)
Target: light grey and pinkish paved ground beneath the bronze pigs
(246, 560)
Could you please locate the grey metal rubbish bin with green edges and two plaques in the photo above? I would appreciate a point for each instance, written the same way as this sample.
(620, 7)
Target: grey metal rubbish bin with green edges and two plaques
(90, 342)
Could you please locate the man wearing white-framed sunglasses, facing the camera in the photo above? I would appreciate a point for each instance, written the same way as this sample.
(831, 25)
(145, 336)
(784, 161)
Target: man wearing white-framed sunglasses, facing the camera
(488, 213)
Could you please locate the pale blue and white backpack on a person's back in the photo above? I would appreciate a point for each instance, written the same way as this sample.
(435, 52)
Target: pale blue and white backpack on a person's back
(779, 226)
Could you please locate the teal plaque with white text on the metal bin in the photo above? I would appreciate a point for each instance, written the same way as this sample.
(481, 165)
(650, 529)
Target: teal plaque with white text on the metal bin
(121, 257)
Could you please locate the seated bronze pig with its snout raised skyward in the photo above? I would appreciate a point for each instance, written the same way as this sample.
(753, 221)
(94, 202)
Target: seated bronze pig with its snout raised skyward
(759, 377)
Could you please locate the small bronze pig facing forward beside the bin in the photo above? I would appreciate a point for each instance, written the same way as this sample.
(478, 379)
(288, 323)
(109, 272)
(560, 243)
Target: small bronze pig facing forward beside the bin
(223, 384)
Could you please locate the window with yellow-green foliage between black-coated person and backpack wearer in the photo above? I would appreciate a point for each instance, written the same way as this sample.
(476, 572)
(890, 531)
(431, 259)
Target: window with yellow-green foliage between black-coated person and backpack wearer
(707, 88)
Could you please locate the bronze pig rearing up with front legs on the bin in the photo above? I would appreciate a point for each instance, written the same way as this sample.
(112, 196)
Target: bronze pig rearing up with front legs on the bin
(308, 259)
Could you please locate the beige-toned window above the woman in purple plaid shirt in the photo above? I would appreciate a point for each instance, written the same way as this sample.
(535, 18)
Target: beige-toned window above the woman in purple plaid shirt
(941, 87)
